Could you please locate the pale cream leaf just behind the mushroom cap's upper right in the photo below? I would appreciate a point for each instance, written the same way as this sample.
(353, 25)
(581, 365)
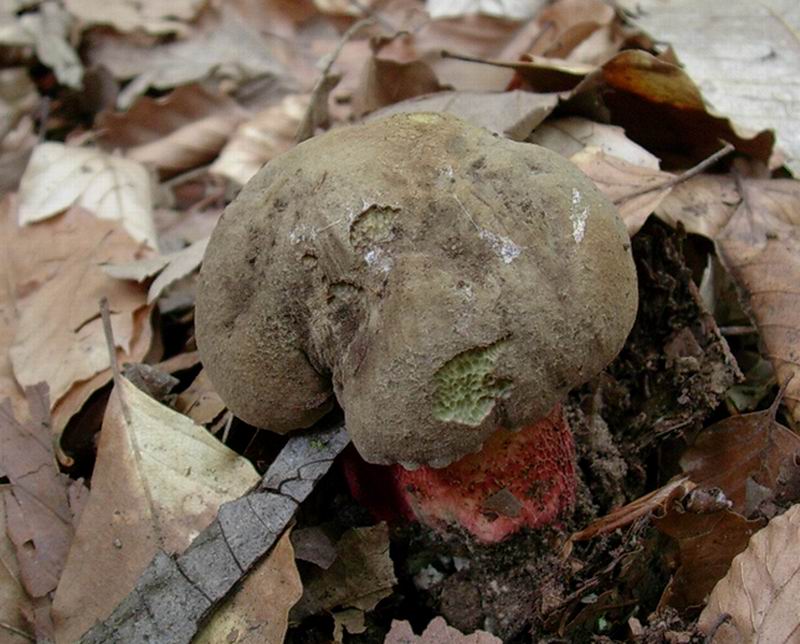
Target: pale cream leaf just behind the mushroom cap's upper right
(571, 134)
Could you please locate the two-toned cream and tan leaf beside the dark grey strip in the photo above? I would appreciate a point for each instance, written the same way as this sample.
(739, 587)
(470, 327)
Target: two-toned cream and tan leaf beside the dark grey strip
(158, 481)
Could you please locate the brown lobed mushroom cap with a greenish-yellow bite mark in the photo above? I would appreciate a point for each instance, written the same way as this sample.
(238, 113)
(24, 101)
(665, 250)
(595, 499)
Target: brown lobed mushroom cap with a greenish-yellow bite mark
(439, 280)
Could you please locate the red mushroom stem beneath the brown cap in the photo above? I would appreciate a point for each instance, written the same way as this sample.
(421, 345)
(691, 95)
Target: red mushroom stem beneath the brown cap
(518, 479)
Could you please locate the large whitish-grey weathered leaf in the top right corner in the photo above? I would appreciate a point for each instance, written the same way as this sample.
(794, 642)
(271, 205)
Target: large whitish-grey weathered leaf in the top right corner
(744, 64)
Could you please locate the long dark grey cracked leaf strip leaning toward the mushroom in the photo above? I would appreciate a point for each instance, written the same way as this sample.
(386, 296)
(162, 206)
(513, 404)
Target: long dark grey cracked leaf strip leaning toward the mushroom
(174, 595)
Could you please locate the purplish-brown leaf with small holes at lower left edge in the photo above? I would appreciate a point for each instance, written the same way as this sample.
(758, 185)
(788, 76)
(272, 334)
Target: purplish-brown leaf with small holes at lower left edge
(39, 520)
